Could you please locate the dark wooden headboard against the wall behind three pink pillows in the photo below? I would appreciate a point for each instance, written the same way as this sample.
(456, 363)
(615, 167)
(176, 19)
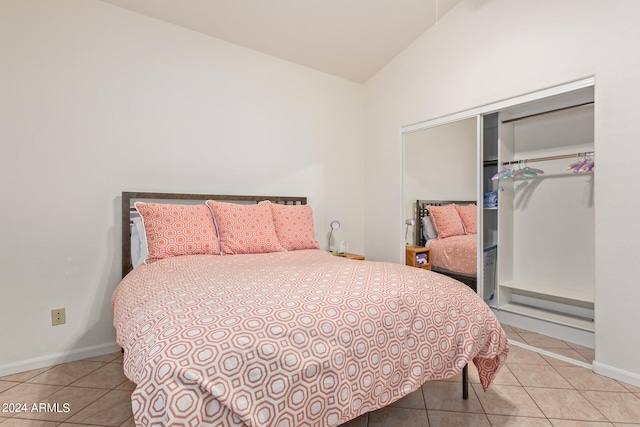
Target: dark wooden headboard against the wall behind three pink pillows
(128, 210)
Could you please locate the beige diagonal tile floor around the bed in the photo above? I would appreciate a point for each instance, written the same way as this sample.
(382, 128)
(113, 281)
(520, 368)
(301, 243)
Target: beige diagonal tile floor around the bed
(531, 390)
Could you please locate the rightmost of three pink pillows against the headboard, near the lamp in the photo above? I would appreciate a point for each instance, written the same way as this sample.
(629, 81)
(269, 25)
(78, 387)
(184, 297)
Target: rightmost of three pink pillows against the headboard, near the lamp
(294, 226)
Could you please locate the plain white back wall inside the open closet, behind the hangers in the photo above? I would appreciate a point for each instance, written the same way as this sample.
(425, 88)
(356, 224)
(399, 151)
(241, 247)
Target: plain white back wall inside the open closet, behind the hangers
(553, 240)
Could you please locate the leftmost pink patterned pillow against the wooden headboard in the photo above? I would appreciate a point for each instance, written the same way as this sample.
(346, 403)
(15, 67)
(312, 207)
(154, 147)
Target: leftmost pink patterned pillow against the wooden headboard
(175, 230)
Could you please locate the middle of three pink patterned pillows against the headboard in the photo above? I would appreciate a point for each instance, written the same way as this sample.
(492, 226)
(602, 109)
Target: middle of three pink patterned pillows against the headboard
(245, 229)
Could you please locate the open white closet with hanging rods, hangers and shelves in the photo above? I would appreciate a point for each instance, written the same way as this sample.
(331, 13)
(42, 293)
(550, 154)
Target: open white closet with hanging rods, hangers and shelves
(538, 161)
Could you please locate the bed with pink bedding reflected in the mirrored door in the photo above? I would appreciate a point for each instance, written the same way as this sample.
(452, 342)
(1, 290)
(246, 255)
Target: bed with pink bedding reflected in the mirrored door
(454, 255)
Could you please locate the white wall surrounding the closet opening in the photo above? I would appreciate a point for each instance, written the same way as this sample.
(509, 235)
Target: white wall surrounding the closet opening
(484, 51)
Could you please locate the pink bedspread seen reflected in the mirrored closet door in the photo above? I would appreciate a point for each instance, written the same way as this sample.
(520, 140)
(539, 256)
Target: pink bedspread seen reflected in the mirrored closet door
(455, 253)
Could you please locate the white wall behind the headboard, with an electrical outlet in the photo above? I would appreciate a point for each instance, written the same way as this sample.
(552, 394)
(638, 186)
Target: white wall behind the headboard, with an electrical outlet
(96, 100)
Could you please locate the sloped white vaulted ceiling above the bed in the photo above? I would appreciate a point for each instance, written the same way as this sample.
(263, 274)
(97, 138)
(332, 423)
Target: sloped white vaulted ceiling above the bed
(352, 39)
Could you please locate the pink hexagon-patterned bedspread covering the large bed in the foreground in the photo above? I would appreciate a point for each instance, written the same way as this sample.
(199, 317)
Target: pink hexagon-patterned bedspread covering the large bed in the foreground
(292, 338)
